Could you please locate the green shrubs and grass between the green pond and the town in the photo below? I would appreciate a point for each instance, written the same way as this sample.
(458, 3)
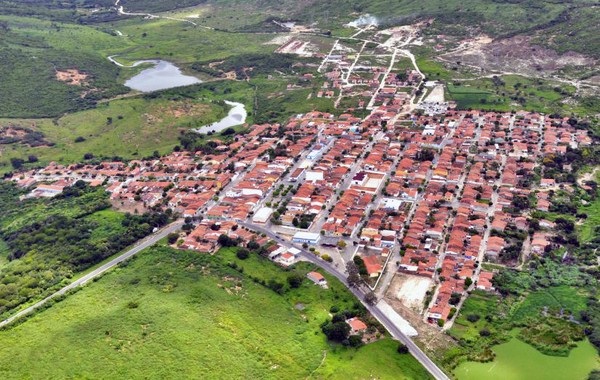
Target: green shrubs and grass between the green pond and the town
(549, 304)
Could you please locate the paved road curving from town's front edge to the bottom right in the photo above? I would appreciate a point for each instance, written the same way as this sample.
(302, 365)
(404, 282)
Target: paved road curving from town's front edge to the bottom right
(433, 369)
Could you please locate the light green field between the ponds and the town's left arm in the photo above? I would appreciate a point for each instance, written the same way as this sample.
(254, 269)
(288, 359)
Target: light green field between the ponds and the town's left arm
(129, 128)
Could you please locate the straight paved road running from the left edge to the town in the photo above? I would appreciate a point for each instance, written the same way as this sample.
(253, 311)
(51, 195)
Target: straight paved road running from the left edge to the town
(141, 245)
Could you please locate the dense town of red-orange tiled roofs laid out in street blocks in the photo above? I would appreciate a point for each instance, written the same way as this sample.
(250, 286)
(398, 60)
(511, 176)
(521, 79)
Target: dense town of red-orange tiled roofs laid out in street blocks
(429, 198)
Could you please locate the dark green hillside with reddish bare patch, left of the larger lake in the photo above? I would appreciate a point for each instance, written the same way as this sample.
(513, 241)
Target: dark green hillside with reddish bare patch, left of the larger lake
(32, 50)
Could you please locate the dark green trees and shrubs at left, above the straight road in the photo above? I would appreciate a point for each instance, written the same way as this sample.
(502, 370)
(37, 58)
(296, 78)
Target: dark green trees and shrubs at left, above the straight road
(48, 242)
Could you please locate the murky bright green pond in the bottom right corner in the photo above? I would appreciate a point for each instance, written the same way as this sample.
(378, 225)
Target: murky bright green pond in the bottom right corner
(516, 360)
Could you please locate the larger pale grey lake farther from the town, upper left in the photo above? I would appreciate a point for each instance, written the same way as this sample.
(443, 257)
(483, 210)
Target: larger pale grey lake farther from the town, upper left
(162, 76)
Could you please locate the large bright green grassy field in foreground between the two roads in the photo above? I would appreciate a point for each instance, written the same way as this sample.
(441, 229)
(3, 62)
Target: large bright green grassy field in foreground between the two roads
(179, 314)
